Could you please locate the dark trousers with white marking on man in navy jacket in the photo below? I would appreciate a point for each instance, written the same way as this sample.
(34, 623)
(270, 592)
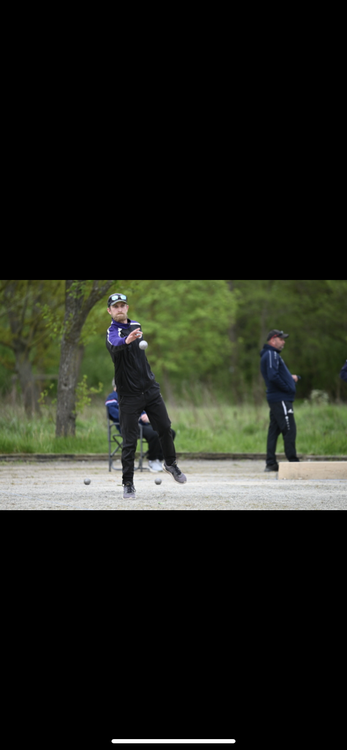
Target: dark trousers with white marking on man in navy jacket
(281, 421)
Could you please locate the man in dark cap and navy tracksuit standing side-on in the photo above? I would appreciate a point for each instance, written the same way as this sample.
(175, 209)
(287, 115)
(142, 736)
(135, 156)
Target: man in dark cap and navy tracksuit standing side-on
(280, 394)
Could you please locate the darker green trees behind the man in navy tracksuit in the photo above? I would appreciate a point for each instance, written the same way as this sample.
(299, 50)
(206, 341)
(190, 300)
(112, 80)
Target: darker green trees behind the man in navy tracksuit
(314, 313)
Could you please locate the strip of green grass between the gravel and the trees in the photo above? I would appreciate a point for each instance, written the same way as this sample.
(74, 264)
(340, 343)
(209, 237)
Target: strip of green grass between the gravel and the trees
(321, 430)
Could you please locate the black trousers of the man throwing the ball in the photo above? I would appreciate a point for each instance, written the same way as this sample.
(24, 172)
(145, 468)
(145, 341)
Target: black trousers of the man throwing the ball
(130, 408)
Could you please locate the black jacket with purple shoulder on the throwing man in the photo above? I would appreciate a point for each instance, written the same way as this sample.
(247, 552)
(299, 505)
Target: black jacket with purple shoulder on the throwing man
(132, 373)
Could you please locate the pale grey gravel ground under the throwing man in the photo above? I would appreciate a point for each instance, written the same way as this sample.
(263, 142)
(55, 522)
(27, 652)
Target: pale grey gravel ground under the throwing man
(211, 485)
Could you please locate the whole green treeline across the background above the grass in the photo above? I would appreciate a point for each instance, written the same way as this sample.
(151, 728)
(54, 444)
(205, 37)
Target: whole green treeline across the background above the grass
(204, 336)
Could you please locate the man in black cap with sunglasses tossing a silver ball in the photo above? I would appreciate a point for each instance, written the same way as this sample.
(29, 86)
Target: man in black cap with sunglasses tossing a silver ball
(138, 391)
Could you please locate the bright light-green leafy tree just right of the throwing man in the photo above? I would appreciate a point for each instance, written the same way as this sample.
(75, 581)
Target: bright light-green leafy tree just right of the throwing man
(186, 324)
